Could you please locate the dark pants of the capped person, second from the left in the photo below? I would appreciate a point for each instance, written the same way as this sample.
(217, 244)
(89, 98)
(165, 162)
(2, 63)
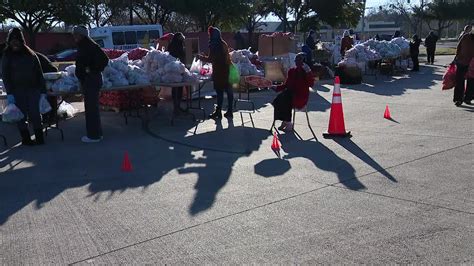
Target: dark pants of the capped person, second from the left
(91, 87)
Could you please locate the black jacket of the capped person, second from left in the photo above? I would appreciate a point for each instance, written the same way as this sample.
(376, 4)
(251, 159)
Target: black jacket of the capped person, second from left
(89, 59)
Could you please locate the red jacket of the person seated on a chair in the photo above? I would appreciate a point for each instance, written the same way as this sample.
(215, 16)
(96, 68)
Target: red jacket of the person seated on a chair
(299, 82)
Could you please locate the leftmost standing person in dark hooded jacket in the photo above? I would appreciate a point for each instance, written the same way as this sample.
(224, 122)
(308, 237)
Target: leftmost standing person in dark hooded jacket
(24, 83)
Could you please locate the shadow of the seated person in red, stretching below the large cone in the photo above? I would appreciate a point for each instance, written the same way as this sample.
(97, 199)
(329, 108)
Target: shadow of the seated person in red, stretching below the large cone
(323, 158)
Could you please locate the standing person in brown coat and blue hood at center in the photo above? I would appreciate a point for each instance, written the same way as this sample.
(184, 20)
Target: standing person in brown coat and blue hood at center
(220, 59)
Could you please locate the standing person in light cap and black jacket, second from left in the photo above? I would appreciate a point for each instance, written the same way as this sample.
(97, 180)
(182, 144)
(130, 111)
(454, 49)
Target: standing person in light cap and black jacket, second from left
(90, 62)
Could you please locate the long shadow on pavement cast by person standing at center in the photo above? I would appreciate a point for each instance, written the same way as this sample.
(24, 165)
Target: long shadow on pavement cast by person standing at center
(214, 167)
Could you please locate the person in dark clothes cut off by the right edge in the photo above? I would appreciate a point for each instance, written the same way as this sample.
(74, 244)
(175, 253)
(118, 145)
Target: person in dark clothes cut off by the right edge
(464, 56)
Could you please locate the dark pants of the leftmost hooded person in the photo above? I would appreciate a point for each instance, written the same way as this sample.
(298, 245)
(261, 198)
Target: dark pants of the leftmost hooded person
(28, 103)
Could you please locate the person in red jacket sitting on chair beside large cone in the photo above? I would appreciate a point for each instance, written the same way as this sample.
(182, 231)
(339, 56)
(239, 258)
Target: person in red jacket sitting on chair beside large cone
(295, 92)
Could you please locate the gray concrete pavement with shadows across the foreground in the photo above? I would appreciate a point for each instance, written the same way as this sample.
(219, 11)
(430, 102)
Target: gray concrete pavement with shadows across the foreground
(399, 191)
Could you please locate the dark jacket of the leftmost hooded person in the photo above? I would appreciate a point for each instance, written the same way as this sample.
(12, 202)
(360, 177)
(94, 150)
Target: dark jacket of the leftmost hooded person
(22, 73)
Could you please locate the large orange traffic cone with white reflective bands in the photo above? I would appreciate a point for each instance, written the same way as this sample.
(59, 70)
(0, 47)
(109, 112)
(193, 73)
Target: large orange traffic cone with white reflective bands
(336, 119)
